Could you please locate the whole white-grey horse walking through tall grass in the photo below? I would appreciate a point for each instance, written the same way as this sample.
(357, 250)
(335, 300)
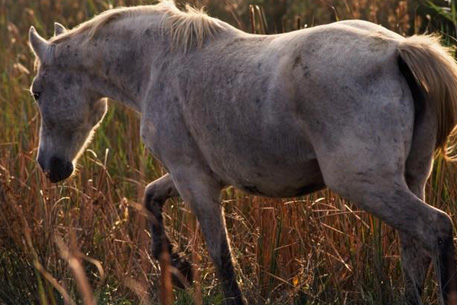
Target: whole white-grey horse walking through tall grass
(350, 106)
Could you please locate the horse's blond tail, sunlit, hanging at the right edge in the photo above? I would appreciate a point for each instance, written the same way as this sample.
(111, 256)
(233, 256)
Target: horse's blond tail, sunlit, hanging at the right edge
(435, 71)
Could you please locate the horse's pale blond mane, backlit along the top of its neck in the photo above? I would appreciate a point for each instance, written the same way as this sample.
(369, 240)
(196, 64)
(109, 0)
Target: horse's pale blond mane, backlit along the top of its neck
(187, 28)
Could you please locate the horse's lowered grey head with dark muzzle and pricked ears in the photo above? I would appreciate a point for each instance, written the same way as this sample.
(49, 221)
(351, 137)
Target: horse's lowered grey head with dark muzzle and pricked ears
(69, 110)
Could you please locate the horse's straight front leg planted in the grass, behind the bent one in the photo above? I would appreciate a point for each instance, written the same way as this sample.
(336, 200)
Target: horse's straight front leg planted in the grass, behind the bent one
(201, 191)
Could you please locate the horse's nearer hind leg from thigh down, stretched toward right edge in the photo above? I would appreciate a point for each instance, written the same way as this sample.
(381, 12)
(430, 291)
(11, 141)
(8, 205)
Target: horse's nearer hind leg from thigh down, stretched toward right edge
(379, 188)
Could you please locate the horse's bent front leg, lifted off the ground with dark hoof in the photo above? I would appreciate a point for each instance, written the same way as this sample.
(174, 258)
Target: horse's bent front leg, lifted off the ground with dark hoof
(156, 194)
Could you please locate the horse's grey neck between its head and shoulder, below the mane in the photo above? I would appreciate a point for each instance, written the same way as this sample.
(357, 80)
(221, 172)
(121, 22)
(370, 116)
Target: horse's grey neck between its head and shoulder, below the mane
(120, 62)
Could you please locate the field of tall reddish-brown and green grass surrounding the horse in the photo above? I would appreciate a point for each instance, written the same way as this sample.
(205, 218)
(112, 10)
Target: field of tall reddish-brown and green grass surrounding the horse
(85, 241)
